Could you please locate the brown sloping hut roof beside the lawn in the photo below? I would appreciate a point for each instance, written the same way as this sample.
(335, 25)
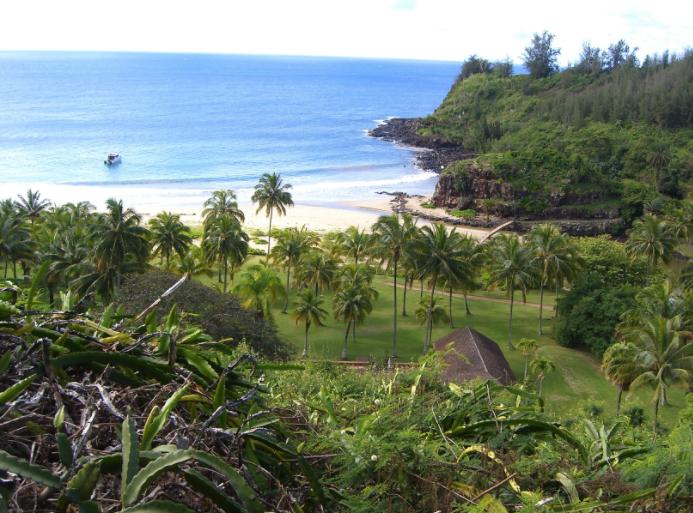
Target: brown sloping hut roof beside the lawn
(473, 356)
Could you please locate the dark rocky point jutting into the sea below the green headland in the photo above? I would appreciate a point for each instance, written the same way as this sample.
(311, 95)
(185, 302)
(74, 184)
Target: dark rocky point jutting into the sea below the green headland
(430, 154)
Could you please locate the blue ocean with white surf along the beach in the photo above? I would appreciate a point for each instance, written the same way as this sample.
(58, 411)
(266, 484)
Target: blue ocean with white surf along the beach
(188, 124)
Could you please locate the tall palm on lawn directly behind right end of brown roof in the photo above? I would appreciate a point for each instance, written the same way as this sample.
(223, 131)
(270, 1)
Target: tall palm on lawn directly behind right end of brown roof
(512, 266)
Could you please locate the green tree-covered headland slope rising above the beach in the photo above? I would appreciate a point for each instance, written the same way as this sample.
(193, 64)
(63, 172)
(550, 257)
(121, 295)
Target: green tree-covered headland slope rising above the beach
(612, 140)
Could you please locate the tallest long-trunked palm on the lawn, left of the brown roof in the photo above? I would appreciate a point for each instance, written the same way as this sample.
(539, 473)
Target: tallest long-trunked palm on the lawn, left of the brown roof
(391, 238)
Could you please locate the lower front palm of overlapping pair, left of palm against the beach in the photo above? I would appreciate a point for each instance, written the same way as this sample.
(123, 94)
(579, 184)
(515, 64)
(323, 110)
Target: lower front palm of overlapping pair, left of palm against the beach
(225, 242)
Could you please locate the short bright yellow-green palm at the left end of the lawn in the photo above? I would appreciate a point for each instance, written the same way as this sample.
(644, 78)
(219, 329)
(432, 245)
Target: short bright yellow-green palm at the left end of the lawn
(260, 287)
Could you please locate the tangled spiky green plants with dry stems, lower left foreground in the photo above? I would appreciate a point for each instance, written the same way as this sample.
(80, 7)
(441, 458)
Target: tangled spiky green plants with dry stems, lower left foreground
(152, 417)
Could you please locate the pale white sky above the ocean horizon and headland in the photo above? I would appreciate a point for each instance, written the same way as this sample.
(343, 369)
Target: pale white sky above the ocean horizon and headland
(407, 29)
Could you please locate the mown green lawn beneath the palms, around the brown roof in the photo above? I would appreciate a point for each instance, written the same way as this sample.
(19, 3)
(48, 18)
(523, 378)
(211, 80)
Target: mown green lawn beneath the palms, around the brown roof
(576, 384)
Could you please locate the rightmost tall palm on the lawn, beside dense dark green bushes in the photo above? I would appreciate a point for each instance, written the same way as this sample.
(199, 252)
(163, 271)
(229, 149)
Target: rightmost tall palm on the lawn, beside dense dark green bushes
(555, 255)
